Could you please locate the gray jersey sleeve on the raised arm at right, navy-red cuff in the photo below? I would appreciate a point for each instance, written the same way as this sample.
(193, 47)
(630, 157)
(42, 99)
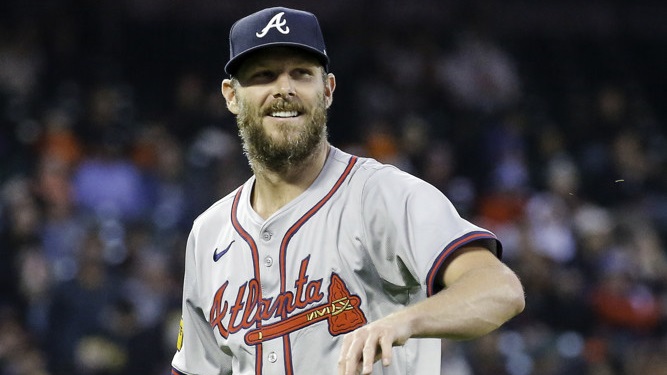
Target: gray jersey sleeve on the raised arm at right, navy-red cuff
(412, 228)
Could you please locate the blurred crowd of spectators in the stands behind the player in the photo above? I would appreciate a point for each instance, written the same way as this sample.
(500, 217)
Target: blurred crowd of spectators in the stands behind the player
(114, 137)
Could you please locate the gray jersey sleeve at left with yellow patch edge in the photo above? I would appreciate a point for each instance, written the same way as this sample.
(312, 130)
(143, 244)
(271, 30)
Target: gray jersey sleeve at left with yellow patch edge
(197, 350)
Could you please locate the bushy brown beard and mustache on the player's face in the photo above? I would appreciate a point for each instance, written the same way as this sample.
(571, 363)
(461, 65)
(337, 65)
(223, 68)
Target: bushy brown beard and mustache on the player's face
(295, 146)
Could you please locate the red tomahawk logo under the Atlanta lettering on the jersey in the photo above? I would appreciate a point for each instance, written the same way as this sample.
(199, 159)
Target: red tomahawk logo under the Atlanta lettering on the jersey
(341, 312)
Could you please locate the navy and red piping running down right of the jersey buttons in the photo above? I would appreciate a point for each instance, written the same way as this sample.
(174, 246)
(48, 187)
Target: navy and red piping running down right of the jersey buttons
(287, 347)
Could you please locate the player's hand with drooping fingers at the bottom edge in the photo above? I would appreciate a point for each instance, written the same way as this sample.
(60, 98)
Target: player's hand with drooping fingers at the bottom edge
(366, 345)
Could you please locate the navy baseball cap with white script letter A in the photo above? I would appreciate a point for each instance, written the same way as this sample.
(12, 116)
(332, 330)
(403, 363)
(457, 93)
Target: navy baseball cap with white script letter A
(275, 27)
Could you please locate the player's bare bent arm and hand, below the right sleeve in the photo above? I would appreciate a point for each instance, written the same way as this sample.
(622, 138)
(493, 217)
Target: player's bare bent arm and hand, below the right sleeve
(481, 293)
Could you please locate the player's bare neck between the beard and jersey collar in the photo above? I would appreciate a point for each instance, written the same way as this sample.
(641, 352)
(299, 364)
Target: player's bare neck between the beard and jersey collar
(274, 189)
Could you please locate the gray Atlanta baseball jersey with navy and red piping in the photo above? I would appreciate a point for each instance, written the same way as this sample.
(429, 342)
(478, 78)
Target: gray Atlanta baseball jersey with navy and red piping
(276, 296)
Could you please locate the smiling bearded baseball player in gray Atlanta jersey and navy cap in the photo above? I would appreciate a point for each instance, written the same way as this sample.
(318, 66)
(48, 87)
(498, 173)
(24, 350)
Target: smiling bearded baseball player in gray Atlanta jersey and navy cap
(324, 262)
